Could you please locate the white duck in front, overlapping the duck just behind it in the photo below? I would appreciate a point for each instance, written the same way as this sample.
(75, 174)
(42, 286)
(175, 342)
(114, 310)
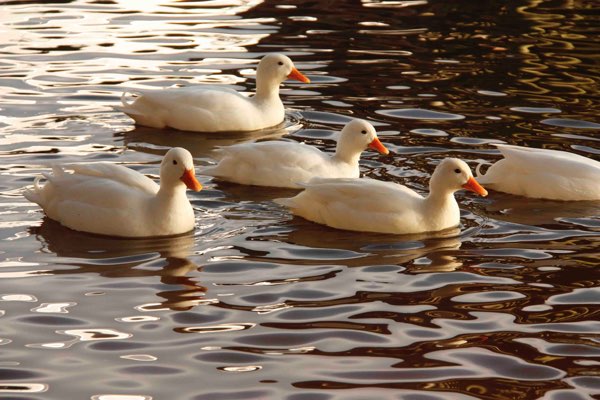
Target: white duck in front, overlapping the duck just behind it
(369, 205)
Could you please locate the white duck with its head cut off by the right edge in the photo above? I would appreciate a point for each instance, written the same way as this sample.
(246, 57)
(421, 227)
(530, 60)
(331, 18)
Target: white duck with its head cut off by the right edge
(543, 174)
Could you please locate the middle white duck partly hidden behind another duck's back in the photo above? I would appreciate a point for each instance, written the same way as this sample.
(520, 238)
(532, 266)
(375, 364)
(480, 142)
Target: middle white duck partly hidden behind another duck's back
(286, 164)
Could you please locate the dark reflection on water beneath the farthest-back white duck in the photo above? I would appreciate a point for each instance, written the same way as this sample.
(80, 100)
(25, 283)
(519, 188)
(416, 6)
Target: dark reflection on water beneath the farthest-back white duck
(200, 145)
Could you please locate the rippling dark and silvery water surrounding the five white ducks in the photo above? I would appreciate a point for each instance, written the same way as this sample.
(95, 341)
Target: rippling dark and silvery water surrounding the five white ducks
(256, 304)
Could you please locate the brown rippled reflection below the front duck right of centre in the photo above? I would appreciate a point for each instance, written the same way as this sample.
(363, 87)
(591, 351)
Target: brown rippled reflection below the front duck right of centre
(427, 252)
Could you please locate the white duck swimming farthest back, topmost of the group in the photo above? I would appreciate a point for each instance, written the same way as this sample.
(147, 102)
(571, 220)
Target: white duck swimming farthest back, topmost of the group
(205, 108)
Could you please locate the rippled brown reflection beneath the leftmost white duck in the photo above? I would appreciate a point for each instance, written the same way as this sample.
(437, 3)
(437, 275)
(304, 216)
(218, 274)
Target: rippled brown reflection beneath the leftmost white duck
(109, 257)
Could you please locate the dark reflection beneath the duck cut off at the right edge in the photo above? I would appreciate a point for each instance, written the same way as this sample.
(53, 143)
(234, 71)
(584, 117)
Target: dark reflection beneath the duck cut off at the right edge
(526, 211)
